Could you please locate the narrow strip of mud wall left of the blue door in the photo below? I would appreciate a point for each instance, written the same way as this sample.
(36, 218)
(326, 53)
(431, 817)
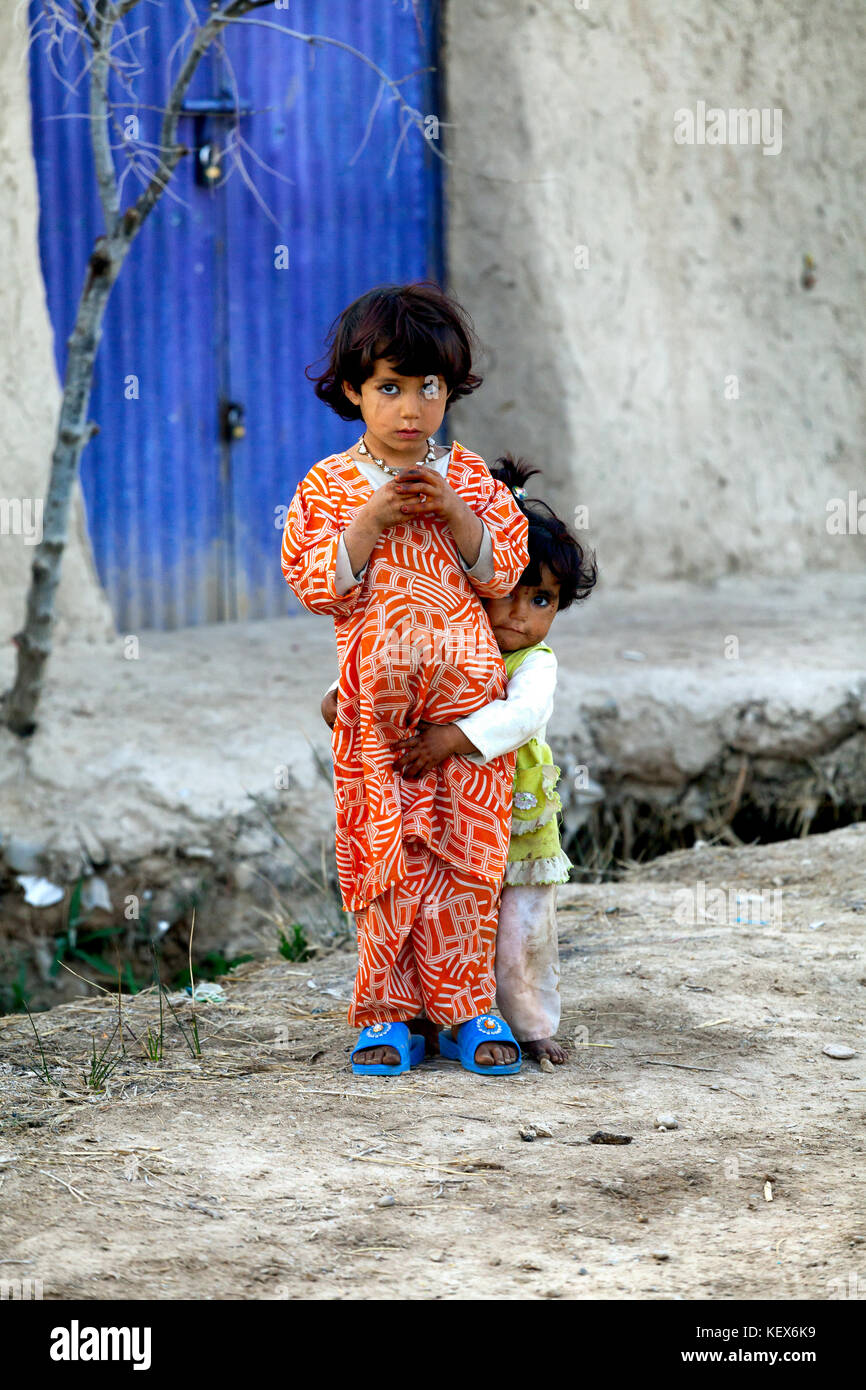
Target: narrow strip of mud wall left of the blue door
(28, 375)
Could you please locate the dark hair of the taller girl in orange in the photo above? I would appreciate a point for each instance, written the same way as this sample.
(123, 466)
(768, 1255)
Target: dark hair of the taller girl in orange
(418, 327)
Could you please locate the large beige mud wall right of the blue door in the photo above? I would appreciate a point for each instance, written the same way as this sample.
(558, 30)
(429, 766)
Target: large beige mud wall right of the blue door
(614, 376)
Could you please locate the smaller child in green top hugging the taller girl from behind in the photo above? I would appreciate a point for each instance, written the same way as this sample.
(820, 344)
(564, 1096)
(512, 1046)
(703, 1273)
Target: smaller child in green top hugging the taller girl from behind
(528, 956)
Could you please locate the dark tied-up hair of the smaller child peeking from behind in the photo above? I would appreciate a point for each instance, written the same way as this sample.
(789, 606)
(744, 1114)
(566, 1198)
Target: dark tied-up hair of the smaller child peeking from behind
(550, 540)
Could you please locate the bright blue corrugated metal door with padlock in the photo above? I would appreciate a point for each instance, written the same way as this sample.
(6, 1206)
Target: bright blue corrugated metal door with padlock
(206, 418)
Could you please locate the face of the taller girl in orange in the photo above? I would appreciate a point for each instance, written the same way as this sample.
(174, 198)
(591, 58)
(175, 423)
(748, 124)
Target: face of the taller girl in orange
(400, 412)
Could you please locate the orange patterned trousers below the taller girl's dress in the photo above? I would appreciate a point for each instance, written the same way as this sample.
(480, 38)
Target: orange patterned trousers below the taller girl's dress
(427, 946)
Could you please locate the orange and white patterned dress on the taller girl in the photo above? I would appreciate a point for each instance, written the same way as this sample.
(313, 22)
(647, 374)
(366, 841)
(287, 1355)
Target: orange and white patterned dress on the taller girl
(414, 643)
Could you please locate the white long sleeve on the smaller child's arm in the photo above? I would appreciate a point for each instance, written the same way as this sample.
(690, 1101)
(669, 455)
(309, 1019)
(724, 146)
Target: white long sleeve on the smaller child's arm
(507, 725)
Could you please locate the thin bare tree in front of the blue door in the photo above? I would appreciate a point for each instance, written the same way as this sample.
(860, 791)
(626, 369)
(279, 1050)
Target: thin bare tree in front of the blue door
(97, 24)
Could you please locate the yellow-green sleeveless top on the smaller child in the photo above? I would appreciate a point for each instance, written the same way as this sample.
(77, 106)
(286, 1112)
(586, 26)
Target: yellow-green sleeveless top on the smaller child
(536, 856)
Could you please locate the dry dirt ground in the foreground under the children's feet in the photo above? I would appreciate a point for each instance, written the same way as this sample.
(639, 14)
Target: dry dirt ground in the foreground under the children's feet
(268, 1171)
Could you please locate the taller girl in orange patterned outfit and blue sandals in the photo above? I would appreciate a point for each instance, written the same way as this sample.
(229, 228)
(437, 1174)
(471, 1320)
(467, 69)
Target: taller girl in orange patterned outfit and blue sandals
(398, 541)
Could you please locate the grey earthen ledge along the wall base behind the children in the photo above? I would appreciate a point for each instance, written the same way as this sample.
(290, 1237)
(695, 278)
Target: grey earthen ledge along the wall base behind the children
(662, 692)
